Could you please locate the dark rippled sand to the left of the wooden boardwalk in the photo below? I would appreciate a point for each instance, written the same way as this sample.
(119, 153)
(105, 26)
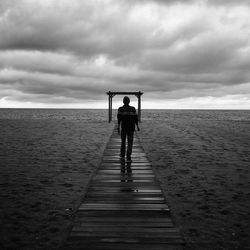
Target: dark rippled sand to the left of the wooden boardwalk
(45, 168)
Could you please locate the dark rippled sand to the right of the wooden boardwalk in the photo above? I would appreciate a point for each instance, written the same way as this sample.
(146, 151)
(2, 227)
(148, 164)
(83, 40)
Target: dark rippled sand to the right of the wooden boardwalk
(204, 169)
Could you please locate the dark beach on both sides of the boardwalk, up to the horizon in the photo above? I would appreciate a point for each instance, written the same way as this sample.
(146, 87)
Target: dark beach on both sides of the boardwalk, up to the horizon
(201, 159)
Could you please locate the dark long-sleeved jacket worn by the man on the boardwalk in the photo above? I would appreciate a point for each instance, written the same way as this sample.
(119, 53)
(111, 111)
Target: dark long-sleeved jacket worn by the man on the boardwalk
(128, 118)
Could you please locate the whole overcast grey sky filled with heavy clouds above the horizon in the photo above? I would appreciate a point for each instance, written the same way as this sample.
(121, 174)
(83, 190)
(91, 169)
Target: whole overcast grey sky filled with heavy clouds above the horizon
(181, 54)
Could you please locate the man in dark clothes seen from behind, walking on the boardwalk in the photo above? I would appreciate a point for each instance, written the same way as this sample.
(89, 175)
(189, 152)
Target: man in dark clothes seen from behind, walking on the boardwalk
(127, 118)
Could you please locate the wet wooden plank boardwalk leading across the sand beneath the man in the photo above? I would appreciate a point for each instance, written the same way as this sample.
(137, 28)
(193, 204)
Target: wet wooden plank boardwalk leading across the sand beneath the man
(124, 207)
